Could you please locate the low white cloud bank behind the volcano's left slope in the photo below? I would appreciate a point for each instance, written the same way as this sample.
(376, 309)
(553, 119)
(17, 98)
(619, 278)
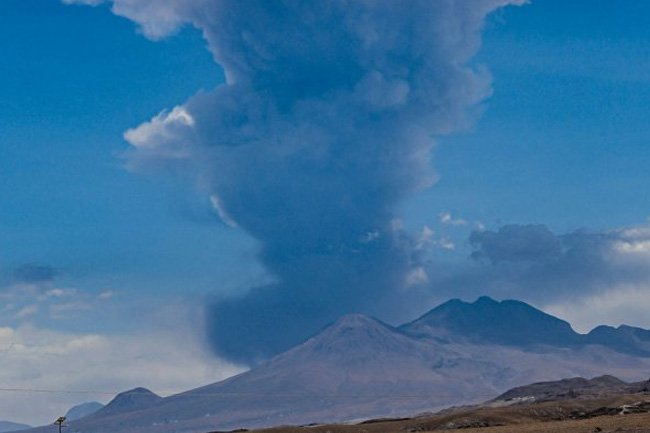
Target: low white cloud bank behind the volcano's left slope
(36, 358)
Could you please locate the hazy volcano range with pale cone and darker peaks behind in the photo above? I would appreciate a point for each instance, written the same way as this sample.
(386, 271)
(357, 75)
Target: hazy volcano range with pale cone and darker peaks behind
(357, 368)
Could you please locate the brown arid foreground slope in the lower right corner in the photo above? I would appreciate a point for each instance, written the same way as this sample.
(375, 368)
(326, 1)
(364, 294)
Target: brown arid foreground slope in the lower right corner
(577, 405)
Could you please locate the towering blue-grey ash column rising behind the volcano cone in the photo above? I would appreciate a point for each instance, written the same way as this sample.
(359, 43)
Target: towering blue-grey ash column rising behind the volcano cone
(326, 122)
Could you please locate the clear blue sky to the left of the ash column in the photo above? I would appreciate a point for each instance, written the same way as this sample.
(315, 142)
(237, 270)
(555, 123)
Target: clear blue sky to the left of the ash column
(74, 79)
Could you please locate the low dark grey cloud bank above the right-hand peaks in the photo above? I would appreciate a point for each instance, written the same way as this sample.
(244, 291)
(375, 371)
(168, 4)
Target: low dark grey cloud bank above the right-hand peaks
(533, 263)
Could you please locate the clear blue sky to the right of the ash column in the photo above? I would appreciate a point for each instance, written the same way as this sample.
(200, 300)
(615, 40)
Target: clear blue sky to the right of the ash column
(562, 140)
